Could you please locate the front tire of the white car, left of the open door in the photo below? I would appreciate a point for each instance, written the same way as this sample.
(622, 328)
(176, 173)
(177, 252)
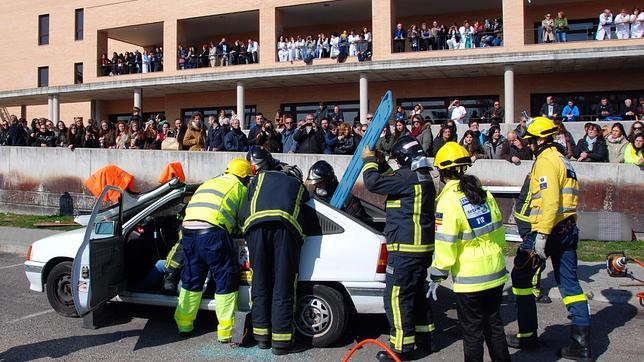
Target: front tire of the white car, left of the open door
(59, 289)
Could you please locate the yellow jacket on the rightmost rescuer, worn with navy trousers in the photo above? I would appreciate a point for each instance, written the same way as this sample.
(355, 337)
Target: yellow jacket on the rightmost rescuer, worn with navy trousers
(554, 188)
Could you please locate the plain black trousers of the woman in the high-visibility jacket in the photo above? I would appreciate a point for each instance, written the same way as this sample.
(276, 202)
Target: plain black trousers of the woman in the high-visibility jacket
(479, 314)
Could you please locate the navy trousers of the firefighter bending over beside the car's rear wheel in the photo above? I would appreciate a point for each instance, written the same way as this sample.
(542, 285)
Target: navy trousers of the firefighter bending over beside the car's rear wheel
(274, 260)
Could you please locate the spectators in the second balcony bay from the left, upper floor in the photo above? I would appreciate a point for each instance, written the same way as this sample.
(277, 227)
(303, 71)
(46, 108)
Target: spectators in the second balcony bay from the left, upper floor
(218, 54)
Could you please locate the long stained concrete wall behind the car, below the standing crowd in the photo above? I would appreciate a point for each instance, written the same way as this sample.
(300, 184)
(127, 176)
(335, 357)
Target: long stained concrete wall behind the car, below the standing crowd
(33, 179)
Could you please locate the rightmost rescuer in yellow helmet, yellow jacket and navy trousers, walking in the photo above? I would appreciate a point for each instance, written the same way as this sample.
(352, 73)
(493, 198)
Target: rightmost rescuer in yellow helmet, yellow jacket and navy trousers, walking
(552, 215)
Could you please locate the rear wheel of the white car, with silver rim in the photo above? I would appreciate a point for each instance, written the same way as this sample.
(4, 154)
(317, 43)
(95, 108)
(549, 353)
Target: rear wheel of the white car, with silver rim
(321, 315)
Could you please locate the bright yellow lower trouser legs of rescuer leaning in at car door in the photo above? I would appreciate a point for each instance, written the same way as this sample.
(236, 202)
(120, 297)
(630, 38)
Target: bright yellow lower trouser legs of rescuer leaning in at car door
(225, 307)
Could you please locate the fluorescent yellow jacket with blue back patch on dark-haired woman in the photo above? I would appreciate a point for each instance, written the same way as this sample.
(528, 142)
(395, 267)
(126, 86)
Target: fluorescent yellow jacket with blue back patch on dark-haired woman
(469, 241)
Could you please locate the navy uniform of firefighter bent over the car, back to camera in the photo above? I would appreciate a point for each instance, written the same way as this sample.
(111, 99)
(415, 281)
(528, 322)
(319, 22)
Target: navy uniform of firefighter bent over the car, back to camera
(272, 219)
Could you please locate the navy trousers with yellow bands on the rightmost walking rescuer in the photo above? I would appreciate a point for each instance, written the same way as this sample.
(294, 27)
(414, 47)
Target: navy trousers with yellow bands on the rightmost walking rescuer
(561, 247)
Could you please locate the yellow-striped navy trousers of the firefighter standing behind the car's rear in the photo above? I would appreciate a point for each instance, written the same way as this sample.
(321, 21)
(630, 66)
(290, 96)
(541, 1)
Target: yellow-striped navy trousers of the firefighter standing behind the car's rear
(407, 307)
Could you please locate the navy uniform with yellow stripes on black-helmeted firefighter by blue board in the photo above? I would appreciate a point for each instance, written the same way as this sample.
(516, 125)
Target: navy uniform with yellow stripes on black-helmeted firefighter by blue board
(410, 241)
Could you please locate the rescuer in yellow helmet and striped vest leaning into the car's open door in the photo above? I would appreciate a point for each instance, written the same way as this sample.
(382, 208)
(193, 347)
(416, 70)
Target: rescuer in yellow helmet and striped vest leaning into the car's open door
(210, 220)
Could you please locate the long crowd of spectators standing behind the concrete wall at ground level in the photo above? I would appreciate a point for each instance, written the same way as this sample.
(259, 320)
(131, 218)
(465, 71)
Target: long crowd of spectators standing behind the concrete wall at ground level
(322, 132)
